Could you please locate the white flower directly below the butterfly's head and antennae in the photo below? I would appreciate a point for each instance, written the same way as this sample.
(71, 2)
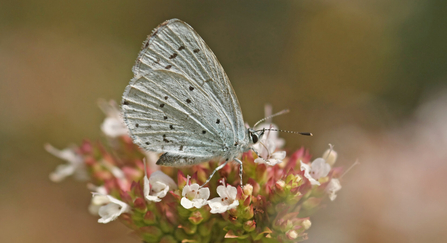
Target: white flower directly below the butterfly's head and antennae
(266, 150)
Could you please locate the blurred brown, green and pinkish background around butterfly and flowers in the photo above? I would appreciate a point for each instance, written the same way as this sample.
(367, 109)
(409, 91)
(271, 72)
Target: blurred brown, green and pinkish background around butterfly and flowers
(369, 77)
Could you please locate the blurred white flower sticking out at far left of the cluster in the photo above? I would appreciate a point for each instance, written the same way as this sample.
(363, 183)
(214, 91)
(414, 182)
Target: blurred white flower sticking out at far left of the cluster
(75, 165)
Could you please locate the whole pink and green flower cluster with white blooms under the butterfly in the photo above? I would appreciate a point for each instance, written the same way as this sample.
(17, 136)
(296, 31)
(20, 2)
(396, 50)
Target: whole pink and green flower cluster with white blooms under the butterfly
(166, 204)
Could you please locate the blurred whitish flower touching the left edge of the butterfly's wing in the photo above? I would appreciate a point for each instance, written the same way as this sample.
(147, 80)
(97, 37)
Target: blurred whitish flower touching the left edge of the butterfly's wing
(113, 125)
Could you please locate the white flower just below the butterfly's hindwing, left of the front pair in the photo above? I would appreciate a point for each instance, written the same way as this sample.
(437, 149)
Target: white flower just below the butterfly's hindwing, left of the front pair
(157, 186)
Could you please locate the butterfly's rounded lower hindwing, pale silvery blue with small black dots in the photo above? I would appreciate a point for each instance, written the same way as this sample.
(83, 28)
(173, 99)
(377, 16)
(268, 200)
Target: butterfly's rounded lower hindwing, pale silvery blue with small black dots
(164, 119)
